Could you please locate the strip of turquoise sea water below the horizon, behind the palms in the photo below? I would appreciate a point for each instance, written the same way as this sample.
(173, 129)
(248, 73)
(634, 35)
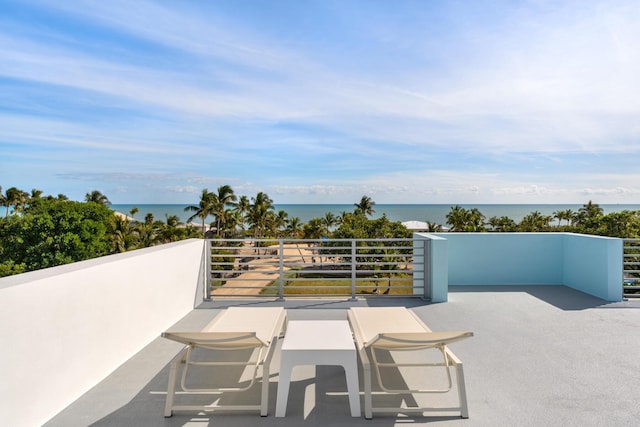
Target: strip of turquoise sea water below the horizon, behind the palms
(431, 213)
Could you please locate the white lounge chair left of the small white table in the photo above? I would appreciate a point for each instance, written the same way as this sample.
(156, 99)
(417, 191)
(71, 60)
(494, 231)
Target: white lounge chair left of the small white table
(235, 329)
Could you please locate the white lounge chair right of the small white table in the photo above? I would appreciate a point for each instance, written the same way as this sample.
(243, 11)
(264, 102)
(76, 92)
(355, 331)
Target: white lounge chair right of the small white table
(393, 329)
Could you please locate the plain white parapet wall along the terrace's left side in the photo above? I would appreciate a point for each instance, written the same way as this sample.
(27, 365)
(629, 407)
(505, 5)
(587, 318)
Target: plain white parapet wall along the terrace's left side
(66, 328)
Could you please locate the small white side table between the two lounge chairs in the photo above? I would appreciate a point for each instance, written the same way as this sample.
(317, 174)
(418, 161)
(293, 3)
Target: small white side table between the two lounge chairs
(318, 342)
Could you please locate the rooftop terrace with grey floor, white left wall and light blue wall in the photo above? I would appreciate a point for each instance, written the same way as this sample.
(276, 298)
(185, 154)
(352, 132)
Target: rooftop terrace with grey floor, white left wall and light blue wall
(554, 343)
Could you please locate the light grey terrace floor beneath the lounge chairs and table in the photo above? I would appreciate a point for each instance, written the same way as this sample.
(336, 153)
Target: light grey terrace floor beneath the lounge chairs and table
(540, 356)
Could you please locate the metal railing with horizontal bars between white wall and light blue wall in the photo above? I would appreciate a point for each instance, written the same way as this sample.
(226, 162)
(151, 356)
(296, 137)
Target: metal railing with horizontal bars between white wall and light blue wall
(317, 268)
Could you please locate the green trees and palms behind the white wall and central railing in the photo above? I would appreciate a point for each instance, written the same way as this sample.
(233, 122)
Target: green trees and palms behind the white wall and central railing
(40, 231)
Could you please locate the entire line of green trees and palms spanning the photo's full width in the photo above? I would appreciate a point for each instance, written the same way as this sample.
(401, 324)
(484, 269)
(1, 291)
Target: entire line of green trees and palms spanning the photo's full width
(40, 231)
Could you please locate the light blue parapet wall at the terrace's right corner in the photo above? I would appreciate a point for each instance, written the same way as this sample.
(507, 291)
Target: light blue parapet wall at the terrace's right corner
(591, 264)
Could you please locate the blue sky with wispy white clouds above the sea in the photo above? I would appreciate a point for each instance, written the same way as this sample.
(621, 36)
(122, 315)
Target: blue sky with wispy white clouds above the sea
(323, 101)
